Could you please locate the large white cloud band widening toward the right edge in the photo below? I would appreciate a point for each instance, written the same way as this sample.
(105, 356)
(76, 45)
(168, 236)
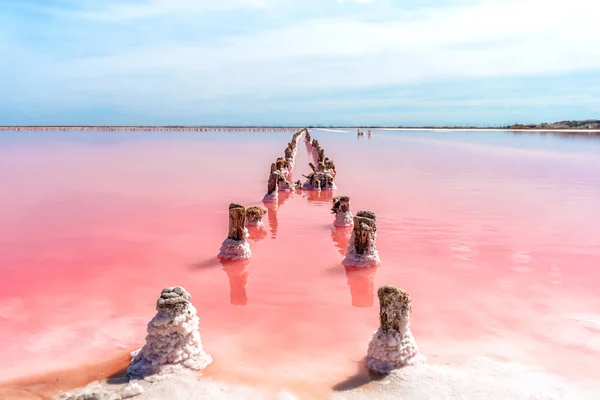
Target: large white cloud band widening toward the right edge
(494, 39)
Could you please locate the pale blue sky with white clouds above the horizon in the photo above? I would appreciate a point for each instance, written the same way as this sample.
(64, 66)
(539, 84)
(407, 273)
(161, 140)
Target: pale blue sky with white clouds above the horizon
(298, 62)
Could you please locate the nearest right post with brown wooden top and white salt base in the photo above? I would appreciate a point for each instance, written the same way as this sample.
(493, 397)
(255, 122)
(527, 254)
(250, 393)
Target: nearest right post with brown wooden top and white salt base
(393, 345)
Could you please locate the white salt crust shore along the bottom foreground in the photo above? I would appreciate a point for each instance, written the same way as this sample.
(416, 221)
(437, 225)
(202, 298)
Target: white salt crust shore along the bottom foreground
(481, 379)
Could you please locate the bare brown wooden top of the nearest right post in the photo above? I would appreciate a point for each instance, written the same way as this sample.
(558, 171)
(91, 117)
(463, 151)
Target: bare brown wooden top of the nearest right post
(394, 309)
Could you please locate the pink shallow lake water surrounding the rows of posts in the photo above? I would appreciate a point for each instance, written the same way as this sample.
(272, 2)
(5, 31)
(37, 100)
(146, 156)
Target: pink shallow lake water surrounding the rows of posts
(496, 237)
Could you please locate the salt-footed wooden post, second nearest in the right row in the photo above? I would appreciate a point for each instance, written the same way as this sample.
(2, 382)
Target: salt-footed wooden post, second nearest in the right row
(361, 249)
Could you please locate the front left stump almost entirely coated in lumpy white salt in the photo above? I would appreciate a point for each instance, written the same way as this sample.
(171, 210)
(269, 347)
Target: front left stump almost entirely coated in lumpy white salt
(173, 341)
